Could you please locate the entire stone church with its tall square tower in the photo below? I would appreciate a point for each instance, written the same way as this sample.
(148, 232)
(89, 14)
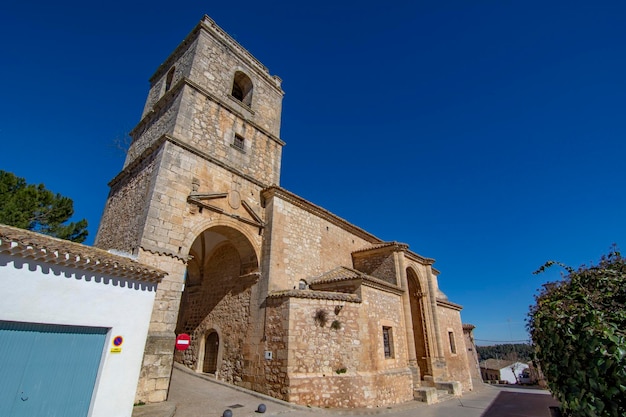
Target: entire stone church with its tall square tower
(278, 294)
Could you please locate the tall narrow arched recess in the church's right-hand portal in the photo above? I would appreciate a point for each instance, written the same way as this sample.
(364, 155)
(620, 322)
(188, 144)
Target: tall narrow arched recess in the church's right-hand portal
(420, 335)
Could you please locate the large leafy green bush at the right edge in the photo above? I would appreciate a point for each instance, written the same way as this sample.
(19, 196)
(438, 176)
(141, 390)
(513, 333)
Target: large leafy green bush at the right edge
(578, 327)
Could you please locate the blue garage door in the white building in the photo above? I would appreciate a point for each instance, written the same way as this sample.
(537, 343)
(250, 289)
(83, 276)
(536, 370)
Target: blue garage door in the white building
(48, 370)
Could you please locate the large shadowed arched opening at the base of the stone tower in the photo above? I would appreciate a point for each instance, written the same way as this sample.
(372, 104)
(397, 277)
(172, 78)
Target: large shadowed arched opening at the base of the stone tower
(221, 273)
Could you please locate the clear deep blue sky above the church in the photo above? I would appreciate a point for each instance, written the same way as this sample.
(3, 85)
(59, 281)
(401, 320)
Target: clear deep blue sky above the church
(488, 135)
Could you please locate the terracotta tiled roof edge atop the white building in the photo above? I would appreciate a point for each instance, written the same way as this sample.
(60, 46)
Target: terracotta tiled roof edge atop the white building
(31, 245)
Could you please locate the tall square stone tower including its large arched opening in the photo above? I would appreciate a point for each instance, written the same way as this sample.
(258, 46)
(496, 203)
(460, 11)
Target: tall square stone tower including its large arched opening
(188, 200)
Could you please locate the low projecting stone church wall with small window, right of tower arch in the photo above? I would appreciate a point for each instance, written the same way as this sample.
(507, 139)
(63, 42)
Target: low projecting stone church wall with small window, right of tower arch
(340, 365)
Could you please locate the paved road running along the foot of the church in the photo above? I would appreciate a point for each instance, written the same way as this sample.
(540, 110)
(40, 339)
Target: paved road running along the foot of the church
(196, 395)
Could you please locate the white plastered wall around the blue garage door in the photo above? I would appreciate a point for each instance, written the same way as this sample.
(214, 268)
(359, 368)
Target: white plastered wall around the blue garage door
(38, 292)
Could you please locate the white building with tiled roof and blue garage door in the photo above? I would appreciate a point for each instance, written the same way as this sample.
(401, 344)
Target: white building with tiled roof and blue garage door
(73, 326)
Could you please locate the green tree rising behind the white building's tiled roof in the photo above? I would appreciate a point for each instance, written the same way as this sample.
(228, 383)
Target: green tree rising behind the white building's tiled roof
(35, 208)
